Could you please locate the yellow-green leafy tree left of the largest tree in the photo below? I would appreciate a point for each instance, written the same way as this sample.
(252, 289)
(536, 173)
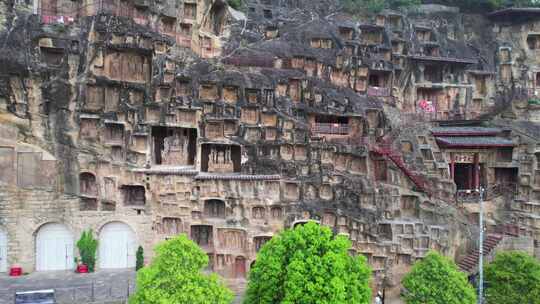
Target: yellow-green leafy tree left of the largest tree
(174, 276)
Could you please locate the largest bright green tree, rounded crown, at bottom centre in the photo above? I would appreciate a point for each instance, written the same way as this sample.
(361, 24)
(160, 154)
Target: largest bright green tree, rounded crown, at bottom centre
(308, 265)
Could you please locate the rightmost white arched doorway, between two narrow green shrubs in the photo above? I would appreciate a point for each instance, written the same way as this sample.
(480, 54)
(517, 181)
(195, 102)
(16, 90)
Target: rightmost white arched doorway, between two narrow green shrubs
(116, 246)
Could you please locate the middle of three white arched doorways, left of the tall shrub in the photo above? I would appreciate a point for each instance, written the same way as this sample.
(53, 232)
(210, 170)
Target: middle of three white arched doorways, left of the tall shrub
(54, 248)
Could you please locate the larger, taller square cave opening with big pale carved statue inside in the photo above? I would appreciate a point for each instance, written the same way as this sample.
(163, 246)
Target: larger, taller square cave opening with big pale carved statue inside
(174, 146)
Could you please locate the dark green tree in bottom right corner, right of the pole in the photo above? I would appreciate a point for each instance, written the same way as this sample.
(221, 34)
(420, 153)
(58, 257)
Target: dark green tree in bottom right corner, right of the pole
(513, 278)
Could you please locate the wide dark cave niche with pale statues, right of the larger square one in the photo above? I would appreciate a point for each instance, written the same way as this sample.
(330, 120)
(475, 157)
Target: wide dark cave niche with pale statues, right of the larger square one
(220, 158)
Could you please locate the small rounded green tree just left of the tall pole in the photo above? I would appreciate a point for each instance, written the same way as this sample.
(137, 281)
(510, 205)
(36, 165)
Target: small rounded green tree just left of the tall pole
(436, 280)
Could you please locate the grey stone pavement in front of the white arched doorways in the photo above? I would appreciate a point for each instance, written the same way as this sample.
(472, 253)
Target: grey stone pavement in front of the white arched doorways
(111, 286)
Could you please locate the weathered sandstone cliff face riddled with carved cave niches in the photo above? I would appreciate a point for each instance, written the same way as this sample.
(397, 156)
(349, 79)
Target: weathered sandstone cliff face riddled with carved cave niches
(155, 118)
